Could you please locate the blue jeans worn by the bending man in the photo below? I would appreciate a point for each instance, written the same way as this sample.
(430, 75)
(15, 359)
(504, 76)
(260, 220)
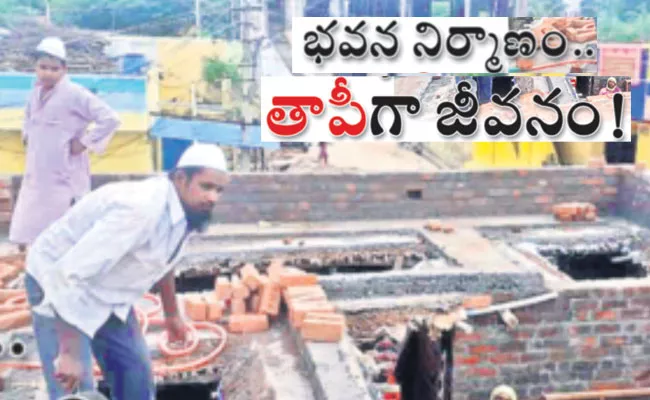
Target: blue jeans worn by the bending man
(119, 348)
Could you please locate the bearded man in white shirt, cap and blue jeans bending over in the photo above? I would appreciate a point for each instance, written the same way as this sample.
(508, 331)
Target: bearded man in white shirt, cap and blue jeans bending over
(85, 272)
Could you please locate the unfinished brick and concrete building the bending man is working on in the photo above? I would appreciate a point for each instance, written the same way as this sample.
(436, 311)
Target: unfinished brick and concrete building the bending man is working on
(536, 278)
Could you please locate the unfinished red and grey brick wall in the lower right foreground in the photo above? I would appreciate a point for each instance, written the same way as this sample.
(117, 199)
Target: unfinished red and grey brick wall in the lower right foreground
(586, 339)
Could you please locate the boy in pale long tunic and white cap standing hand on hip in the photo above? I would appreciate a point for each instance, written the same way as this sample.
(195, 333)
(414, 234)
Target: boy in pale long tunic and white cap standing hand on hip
(57, 170)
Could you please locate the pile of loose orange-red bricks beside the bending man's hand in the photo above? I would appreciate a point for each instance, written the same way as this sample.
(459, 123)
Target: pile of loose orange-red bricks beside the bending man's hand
(253, 299)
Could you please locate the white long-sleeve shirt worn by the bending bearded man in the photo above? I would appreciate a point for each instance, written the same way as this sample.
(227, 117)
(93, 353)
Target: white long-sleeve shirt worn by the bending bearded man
(108, 251)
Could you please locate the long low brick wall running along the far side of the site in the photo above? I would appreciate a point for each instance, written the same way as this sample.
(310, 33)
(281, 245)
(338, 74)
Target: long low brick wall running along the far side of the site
(306, 197)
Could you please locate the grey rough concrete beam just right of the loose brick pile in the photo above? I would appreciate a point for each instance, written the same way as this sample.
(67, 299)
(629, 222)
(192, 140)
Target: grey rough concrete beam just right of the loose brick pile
(406, 283)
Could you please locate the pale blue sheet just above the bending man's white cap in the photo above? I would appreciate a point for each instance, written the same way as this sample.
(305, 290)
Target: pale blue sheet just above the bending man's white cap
(225, 134)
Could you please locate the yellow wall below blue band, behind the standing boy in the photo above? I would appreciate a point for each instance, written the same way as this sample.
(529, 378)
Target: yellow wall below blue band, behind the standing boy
(130, 150)
